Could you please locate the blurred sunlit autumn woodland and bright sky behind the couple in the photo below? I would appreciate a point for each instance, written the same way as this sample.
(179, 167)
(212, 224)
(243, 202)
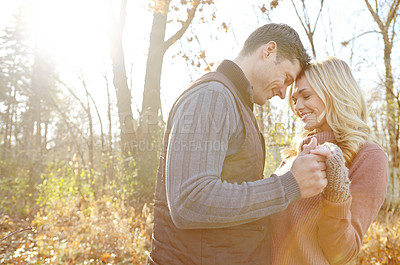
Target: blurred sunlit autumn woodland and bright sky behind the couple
(86, 87)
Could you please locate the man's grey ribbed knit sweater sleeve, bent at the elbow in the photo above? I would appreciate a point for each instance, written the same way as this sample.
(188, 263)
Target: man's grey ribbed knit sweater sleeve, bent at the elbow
(202, 127)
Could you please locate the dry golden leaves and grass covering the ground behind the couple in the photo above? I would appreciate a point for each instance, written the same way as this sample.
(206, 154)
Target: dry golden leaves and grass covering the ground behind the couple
(107, 231)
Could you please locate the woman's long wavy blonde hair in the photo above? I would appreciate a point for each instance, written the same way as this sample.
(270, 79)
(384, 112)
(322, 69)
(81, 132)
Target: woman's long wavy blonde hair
(345, 107)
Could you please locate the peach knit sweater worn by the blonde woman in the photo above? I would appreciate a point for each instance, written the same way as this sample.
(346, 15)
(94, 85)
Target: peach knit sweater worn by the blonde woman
(316, 231)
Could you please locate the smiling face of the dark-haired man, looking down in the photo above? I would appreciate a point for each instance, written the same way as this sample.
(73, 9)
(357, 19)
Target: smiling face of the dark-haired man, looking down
(272, 76)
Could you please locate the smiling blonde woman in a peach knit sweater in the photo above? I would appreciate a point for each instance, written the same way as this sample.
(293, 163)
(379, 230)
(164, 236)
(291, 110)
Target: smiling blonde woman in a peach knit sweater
(329, 228)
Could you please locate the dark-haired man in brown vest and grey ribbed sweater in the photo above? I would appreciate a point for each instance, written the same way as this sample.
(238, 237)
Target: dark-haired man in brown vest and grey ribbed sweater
(211, 197)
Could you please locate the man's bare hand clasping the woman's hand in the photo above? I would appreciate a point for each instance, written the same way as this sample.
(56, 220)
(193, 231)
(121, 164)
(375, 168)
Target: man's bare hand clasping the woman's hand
(309, 169)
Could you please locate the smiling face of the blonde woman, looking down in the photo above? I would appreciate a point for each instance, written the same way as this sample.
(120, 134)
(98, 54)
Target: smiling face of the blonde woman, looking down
(309, 106)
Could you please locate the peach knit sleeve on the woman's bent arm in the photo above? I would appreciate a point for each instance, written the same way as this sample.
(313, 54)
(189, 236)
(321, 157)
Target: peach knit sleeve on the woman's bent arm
(343, 225)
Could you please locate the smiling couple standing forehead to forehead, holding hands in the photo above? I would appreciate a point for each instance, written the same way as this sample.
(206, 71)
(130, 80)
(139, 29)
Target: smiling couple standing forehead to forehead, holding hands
(213, 205)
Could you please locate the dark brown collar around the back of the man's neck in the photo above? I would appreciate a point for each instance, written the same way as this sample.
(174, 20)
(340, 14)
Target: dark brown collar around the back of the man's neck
(234, 73)
